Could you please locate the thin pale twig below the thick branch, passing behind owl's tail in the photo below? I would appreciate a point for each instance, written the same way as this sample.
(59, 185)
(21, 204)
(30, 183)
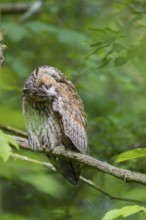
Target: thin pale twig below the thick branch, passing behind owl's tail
(83, 179)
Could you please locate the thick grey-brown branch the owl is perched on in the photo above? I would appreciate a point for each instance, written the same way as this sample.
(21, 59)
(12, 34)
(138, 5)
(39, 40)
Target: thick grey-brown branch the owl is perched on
(125, 175)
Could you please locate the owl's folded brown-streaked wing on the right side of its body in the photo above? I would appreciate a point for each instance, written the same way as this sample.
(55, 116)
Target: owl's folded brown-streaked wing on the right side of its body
(70, 108)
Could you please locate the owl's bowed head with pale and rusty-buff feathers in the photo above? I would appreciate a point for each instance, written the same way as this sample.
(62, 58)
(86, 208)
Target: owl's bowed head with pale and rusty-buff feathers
(43, 83)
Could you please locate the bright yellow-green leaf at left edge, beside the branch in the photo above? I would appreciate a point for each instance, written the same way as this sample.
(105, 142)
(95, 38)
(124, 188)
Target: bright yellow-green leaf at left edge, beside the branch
(5, 149)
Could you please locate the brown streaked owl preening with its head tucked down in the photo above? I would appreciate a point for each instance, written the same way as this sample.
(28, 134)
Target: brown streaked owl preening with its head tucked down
(55, 116)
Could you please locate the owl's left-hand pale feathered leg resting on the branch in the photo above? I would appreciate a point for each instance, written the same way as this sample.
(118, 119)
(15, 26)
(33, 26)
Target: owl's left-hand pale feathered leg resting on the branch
(33, 140)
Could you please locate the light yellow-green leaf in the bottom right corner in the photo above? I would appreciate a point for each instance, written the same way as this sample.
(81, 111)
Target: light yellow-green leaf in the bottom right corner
(125, 212)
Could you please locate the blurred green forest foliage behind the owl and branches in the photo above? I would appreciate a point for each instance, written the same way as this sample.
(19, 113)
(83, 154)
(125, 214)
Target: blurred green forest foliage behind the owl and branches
(101, 47)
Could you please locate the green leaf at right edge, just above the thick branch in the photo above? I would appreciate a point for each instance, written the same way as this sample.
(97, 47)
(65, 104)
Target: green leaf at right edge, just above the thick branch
(131, 154)
